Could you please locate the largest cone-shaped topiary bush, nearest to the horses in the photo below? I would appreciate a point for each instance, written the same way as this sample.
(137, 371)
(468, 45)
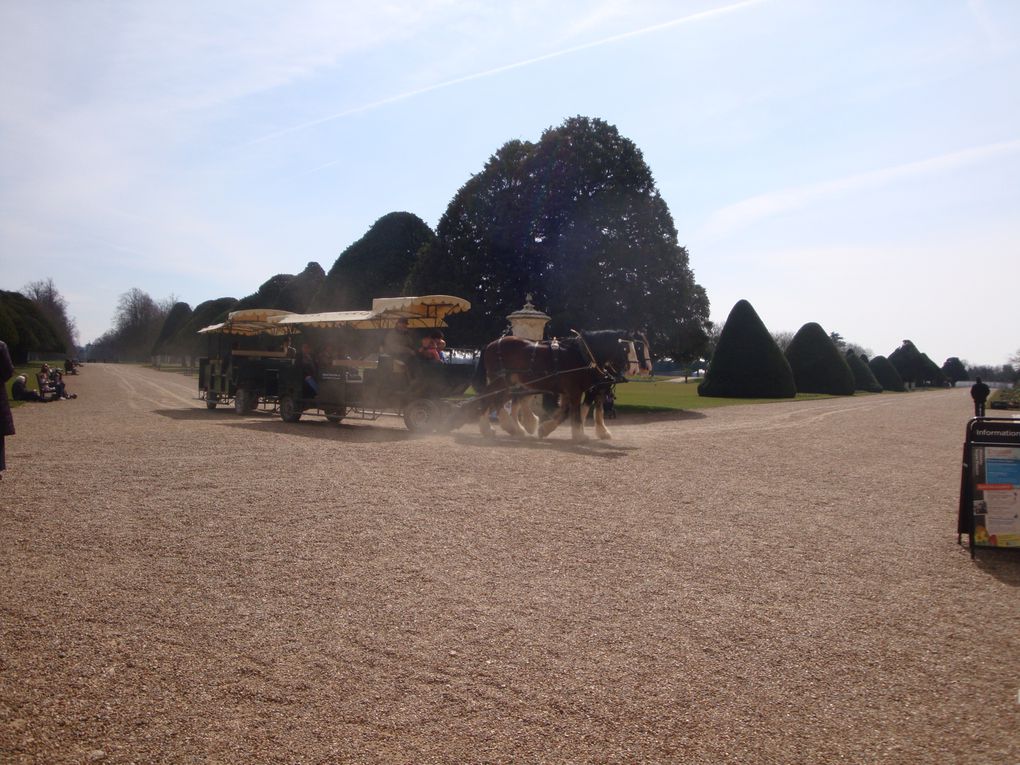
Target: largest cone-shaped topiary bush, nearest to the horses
(747, 363)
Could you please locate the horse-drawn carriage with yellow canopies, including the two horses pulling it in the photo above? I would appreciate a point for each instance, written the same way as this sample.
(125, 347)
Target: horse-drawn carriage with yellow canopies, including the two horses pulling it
(353, 376)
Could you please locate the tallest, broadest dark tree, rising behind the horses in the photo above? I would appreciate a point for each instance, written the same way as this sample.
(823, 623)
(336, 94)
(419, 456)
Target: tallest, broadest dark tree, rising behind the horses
(577, 221)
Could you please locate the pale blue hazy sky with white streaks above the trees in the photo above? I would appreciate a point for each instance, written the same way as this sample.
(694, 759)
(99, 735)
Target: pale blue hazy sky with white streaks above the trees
(851, 164)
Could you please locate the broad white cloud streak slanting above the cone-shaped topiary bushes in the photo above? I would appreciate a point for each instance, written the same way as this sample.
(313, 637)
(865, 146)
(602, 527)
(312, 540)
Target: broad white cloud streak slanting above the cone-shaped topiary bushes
(756, 210)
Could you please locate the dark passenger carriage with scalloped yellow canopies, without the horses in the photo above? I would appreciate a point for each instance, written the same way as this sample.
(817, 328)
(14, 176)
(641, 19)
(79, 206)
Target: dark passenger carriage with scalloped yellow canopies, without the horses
(342, 370)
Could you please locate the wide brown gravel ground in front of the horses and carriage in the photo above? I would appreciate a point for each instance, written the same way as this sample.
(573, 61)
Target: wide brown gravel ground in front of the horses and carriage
(772, 584)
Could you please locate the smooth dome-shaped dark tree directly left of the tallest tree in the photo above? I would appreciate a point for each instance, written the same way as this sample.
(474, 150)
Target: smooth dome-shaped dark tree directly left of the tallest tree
(376, 267)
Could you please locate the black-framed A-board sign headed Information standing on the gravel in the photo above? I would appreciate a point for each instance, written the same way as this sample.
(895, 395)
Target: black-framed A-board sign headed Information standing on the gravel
(990, 489)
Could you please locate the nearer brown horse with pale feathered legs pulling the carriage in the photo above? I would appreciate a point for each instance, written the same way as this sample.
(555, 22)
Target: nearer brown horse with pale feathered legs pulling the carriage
(514, 368)
